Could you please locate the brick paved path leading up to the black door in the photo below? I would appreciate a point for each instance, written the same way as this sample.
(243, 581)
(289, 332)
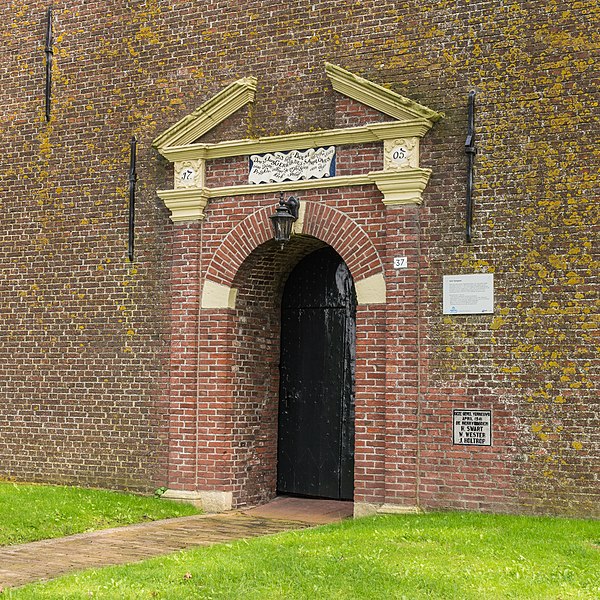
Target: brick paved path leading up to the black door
(47, 559)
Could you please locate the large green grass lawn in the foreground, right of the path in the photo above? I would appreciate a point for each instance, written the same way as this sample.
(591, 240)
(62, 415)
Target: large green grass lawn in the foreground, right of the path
(442, 555)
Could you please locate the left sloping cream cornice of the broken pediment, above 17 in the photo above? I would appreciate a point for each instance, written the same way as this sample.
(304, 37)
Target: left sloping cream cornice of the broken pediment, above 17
(208, 115)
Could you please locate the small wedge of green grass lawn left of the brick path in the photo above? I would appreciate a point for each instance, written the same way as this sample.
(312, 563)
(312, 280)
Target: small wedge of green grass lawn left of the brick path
(36, 512)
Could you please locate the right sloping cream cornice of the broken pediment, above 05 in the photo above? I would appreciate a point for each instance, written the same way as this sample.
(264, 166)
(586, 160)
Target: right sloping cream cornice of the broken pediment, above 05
(378, 97)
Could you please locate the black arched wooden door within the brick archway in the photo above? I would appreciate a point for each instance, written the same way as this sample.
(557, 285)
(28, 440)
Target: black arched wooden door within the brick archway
(316, 396)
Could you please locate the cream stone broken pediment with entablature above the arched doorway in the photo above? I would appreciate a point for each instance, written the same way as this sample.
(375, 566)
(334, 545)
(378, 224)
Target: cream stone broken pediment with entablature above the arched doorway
(401, 180)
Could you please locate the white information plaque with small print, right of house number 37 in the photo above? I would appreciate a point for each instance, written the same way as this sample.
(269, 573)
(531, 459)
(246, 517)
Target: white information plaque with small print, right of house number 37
(469, 294)
